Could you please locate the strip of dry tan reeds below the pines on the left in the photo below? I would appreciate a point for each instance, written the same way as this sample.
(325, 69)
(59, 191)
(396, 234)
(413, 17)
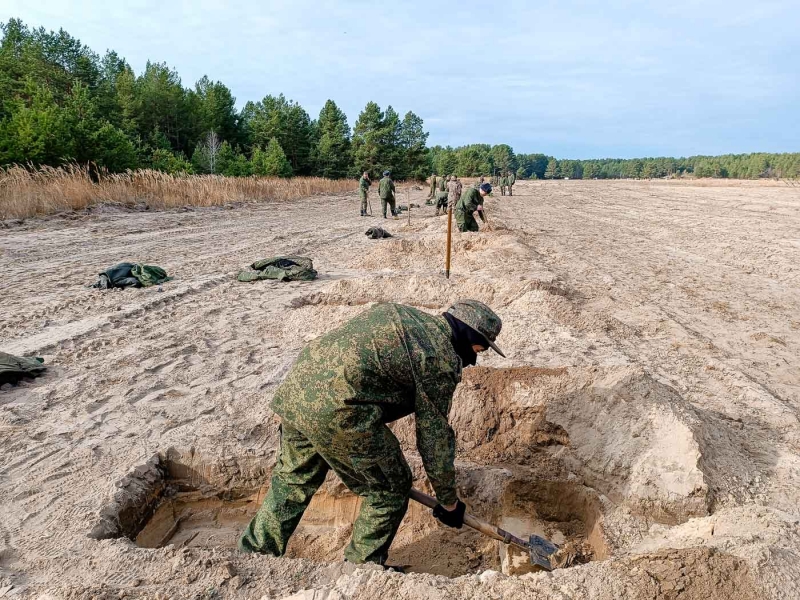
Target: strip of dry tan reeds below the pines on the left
(28, 192)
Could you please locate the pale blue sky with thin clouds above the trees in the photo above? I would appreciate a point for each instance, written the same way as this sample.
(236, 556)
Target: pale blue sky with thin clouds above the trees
(574, 79)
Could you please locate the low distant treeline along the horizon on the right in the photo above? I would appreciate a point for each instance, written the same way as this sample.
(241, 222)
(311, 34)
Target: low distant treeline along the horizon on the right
(482, 159)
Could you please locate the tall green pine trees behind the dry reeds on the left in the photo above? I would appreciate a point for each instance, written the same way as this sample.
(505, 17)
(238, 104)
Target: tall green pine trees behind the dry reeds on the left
(62, 103)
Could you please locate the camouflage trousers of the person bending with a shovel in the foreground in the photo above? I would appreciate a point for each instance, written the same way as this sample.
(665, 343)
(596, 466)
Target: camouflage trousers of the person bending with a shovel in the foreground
(365, 455)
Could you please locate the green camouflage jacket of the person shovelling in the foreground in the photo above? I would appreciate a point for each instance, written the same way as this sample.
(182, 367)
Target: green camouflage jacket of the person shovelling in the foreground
(392, 356)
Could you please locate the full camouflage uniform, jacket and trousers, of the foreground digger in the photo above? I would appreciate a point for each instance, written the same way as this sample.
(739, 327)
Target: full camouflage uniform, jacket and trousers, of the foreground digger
(343, 389)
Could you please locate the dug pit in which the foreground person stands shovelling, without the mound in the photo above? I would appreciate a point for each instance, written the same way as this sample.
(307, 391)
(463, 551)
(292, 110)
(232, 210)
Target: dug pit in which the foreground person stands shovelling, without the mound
(165, 503)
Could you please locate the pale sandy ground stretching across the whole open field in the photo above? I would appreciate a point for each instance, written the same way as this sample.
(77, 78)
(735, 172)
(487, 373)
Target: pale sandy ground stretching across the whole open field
(659, 425)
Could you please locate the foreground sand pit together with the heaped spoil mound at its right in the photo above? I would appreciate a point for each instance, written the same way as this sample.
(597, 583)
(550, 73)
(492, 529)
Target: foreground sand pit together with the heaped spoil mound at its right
(534, 457)
